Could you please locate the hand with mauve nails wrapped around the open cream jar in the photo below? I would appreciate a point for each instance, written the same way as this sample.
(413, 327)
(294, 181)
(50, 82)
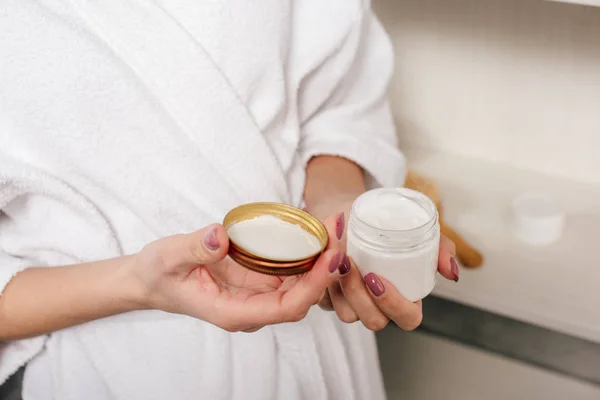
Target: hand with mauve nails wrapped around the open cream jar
(372, 300)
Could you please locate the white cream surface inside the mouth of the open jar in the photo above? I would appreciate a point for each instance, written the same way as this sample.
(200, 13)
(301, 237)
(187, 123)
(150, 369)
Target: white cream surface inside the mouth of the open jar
(393, 213)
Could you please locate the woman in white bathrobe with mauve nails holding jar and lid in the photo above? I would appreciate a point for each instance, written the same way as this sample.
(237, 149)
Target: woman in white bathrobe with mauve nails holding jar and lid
(125, 127)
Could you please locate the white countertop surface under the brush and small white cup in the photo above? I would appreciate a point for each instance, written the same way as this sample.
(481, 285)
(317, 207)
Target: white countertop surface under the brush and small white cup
(557, 287)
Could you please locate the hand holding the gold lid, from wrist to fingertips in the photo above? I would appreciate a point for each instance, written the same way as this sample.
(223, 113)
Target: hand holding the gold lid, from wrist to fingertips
(191, 274)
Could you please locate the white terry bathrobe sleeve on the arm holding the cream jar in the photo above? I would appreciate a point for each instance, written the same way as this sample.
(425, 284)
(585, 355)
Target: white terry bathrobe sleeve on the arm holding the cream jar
(353, 118)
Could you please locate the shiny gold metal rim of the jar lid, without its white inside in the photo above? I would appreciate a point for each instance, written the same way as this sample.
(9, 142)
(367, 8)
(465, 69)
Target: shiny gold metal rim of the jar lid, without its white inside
(286, 213)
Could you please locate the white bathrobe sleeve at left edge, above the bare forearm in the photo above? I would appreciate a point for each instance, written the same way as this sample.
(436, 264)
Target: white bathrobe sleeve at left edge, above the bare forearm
(45, 222)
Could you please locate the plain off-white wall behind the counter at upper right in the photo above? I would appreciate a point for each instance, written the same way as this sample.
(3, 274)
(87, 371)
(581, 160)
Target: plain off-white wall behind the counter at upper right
(516, 81)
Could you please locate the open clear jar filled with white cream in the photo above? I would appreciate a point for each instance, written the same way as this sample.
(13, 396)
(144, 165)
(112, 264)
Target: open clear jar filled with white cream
(395, 234)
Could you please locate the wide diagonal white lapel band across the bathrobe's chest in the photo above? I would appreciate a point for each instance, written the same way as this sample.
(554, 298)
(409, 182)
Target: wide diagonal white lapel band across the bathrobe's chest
(179, 72)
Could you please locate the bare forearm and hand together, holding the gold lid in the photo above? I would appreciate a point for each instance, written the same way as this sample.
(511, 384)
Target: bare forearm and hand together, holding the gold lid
(185, 274)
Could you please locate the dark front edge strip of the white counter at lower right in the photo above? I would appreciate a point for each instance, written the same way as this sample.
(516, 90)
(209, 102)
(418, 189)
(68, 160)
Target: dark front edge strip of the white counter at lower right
(545, 348)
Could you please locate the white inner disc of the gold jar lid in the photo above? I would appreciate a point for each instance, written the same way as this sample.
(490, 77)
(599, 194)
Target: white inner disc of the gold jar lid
(275, 239)
